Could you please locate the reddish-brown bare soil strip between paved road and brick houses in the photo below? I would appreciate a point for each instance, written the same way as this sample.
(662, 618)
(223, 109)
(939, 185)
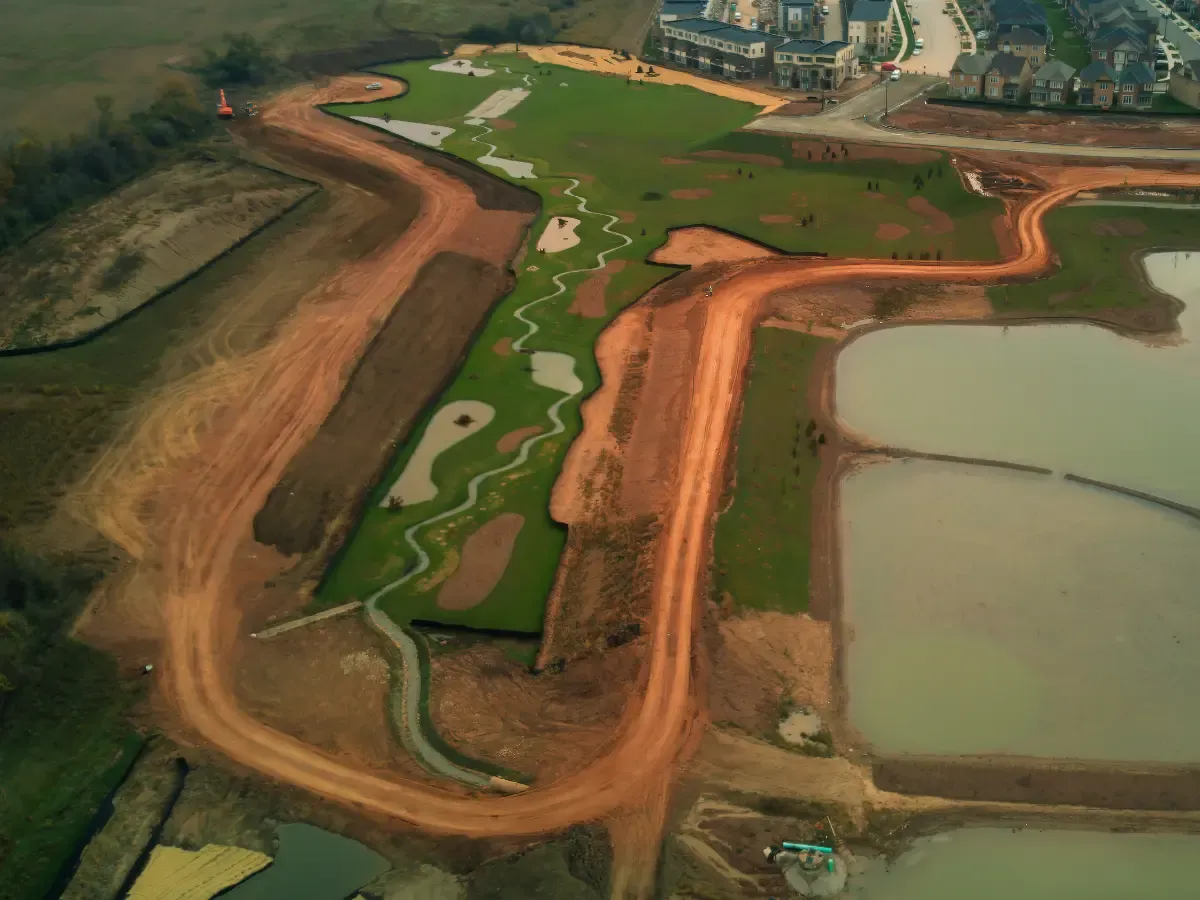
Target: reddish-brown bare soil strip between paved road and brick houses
(1106, 131)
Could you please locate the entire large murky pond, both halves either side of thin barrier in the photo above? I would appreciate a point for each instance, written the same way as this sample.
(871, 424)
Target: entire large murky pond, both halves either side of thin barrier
(992, 611)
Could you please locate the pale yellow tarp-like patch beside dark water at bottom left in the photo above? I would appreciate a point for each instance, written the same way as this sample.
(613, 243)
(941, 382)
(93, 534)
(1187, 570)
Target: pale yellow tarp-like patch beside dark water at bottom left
(175, 874)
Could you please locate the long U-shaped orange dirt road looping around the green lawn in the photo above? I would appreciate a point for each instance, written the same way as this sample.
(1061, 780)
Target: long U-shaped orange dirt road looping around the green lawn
(293, 386)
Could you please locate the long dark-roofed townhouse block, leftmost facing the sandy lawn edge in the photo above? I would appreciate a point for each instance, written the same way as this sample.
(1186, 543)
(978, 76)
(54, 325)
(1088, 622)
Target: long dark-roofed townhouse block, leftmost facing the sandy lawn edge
(717, 49)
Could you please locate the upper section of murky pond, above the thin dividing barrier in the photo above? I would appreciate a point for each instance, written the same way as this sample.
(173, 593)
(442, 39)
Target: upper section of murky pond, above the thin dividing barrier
(1071, 398)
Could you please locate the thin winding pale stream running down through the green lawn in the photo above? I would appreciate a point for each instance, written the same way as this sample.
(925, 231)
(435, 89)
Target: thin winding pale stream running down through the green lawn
(410, 727)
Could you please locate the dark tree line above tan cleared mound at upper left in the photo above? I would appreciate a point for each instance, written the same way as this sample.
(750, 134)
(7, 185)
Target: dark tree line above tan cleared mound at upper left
(40, 181)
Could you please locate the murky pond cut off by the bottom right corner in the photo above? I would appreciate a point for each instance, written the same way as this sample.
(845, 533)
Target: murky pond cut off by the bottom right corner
(1000, 865)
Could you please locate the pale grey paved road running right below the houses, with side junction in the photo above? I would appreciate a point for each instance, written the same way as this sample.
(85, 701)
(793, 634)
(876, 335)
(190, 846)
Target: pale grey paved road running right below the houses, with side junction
(857, 121)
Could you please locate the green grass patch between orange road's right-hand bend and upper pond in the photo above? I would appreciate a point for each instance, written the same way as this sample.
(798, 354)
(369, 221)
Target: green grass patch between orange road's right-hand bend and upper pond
(1097, 269)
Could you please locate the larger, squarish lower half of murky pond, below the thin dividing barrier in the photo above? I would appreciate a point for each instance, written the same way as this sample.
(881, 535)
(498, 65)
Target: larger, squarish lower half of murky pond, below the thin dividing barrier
(992, 611)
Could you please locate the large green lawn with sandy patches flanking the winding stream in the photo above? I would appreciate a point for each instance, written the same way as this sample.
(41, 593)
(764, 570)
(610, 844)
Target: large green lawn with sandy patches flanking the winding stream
(586, 129)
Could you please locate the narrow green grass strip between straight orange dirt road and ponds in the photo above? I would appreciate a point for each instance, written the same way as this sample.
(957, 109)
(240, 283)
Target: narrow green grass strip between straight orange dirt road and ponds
(763, 542)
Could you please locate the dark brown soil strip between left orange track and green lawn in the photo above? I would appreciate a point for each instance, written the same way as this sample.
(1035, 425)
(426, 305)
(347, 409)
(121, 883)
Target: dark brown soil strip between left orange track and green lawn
(409, 363)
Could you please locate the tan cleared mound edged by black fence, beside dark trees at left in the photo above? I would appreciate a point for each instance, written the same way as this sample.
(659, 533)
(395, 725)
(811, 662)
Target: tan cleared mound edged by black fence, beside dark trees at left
(105, 262)
